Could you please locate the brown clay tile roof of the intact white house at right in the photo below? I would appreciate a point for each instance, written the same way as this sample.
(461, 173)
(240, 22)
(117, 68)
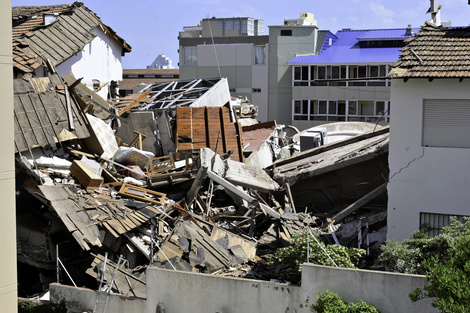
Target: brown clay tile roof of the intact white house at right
(435, 52)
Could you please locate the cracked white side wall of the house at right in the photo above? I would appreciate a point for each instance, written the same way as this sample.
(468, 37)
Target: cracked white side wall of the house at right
(437, 179)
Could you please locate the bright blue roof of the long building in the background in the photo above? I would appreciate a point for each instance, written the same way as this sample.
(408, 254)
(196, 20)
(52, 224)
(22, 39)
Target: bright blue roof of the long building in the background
(346, 49)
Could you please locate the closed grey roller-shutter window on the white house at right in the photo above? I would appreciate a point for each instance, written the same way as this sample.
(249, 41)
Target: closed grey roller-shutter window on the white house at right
(446, 123)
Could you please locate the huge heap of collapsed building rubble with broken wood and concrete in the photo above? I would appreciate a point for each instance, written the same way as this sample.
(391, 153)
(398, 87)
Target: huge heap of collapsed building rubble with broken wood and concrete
(206, 196)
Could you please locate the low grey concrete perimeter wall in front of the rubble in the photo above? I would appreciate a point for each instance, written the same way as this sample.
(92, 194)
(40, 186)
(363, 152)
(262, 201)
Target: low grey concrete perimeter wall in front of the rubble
(200, 293)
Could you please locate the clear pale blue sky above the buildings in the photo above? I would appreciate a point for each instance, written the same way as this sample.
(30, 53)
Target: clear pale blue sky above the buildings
(151, 27)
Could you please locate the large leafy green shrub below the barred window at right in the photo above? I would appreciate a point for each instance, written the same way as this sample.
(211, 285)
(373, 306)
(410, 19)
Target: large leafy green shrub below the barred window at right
(444, 259)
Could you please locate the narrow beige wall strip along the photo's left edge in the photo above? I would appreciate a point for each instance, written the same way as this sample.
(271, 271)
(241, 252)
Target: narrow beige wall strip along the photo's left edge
(8, 283)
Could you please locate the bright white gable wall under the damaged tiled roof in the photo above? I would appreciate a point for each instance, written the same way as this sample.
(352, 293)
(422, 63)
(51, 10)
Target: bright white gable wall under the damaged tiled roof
(100, 59)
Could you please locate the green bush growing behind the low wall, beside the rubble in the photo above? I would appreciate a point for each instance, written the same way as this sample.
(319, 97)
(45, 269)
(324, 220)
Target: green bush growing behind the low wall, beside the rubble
(294, 256)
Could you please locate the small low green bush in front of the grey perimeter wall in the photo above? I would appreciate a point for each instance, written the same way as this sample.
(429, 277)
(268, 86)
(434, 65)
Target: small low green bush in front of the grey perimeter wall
(330, 302)
